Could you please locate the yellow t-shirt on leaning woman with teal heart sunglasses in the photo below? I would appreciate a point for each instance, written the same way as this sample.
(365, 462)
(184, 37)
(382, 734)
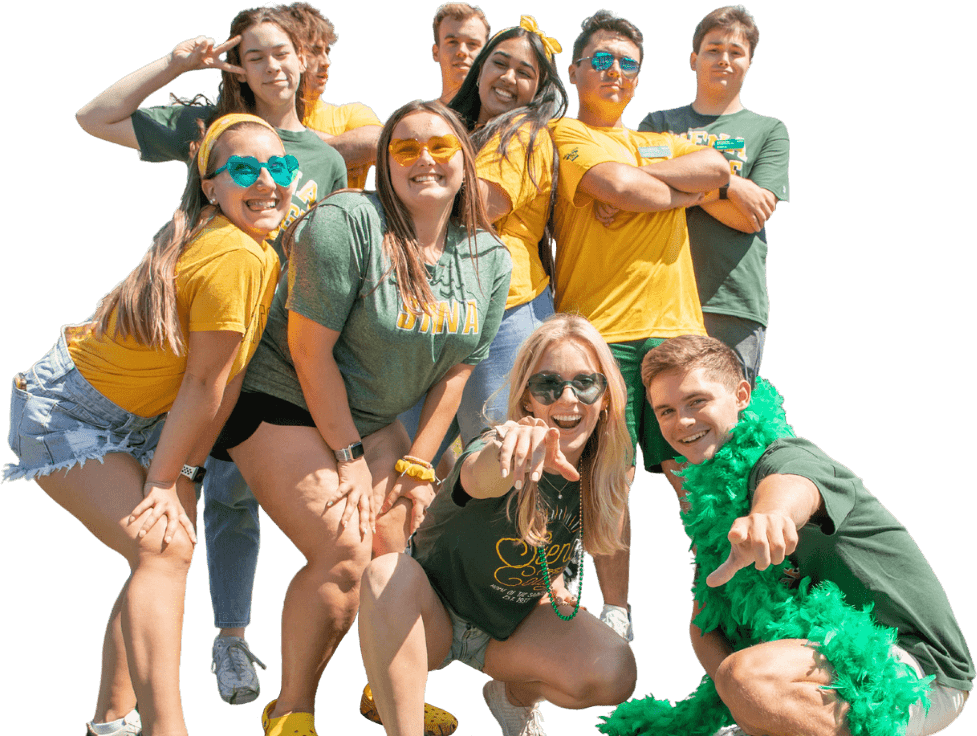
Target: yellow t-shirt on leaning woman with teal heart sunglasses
(224, 282)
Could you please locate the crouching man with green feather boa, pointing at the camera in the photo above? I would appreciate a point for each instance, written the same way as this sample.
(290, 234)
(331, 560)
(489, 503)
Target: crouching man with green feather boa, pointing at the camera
(805, 508)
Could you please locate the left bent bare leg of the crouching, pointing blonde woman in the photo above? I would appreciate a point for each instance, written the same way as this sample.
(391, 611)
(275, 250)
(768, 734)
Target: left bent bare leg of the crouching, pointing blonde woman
(404, 630)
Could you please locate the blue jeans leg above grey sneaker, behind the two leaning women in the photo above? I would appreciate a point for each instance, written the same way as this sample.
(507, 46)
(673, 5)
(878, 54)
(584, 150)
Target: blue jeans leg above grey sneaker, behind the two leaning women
(232, 539)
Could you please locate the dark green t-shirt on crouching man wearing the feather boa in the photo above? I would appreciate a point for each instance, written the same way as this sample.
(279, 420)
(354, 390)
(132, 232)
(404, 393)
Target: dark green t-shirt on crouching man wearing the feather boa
(870, 555)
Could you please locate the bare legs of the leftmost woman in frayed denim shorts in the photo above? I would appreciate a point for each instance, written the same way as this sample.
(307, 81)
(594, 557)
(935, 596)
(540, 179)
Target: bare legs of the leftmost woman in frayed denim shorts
(149, 611)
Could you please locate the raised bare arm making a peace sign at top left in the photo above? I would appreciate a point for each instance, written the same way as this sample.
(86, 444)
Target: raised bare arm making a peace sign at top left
(107, 116)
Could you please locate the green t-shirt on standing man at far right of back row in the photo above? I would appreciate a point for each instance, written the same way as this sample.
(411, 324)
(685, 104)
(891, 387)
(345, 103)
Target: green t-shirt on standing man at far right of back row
(730, 266)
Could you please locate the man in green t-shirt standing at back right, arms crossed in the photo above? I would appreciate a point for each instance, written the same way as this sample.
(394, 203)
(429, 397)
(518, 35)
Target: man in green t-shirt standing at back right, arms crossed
(727, 234)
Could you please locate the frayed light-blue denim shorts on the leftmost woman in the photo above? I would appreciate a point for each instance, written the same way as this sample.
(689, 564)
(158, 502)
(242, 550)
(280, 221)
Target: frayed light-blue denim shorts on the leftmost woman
(58, 420)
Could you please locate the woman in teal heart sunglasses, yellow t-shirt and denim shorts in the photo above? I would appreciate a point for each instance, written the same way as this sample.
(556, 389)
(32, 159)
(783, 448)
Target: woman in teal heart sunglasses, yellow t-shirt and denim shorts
(143, 388)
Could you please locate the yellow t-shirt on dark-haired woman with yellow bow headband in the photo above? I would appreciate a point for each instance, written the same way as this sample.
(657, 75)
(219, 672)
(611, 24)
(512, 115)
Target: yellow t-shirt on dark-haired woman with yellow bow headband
(522, 228)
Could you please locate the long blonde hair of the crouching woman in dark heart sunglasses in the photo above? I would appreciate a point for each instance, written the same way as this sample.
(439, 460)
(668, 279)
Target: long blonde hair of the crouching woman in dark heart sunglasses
(607, 455)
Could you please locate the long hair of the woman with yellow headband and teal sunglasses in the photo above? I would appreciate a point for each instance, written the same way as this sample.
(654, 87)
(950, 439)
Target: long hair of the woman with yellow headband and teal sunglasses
(144, 303)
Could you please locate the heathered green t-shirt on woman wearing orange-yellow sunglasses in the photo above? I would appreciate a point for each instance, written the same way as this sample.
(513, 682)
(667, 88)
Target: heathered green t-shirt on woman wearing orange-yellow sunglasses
(339, 277)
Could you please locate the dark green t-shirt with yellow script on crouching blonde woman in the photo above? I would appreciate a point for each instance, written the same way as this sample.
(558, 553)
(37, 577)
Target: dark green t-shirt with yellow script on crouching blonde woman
(474, 559)
